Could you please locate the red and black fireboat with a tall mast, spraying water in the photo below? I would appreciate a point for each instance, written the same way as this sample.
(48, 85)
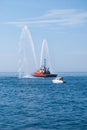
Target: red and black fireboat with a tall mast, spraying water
(44, 72)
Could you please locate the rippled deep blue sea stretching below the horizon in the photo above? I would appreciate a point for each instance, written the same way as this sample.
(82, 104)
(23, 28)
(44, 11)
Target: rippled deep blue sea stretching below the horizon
(38, 104)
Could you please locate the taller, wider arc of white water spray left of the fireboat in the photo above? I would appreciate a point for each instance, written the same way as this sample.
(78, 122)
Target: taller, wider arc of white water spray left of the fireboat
(27, 55)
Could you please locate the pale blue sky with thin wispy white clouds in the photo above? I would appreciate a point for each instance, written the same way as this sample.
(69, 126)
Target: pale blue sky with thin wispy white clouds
(63, 23)
